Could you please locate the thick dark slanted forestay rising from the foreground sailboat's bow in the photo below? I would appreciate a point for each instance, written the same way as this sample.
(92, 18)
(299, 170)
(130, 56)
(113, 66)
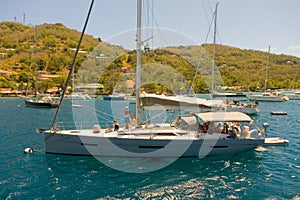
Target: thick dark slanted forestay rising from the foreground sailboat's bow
(73, 63)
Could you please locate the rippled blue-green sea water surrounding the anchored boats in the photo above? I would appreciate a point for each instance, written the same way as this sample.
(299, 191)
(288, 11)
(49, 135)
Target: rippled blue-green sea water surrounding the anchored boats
(252, 175)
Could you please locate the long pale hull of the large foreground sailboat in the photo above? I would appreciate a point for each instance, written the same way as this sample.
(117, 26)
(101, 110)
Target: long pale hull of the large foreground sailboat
(145, 146)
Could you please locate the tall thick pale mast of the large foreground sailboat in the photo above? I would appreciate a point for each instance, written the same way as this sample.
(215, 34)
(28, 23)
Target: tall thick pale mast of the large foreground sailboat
(138, 62)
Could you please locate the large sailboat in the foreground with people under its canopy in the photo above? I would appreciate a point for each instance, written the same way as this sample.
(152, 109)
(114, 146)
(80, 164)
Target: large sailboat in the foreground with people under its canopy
(190, 135)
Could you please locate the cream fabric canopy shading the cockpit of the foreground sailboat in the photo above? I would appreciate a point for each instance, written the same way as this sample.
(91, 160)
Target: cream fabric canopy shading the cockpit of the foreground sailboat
(224, 117)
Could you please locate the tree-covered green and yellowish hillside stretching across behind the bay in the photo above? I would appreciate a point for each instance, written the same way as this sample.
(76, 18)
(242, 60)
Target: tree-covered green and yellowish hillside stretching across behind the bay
(50, 48)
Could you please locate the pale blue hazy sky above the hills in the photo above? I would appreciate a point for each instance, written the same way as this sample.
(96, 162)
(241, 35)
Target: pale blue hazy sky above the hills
(246, 24)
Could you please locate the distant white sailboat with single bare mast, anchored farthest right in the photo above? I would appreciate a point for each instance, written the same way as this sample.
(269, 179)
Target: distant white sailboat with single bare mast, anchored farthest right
(268, 96)
